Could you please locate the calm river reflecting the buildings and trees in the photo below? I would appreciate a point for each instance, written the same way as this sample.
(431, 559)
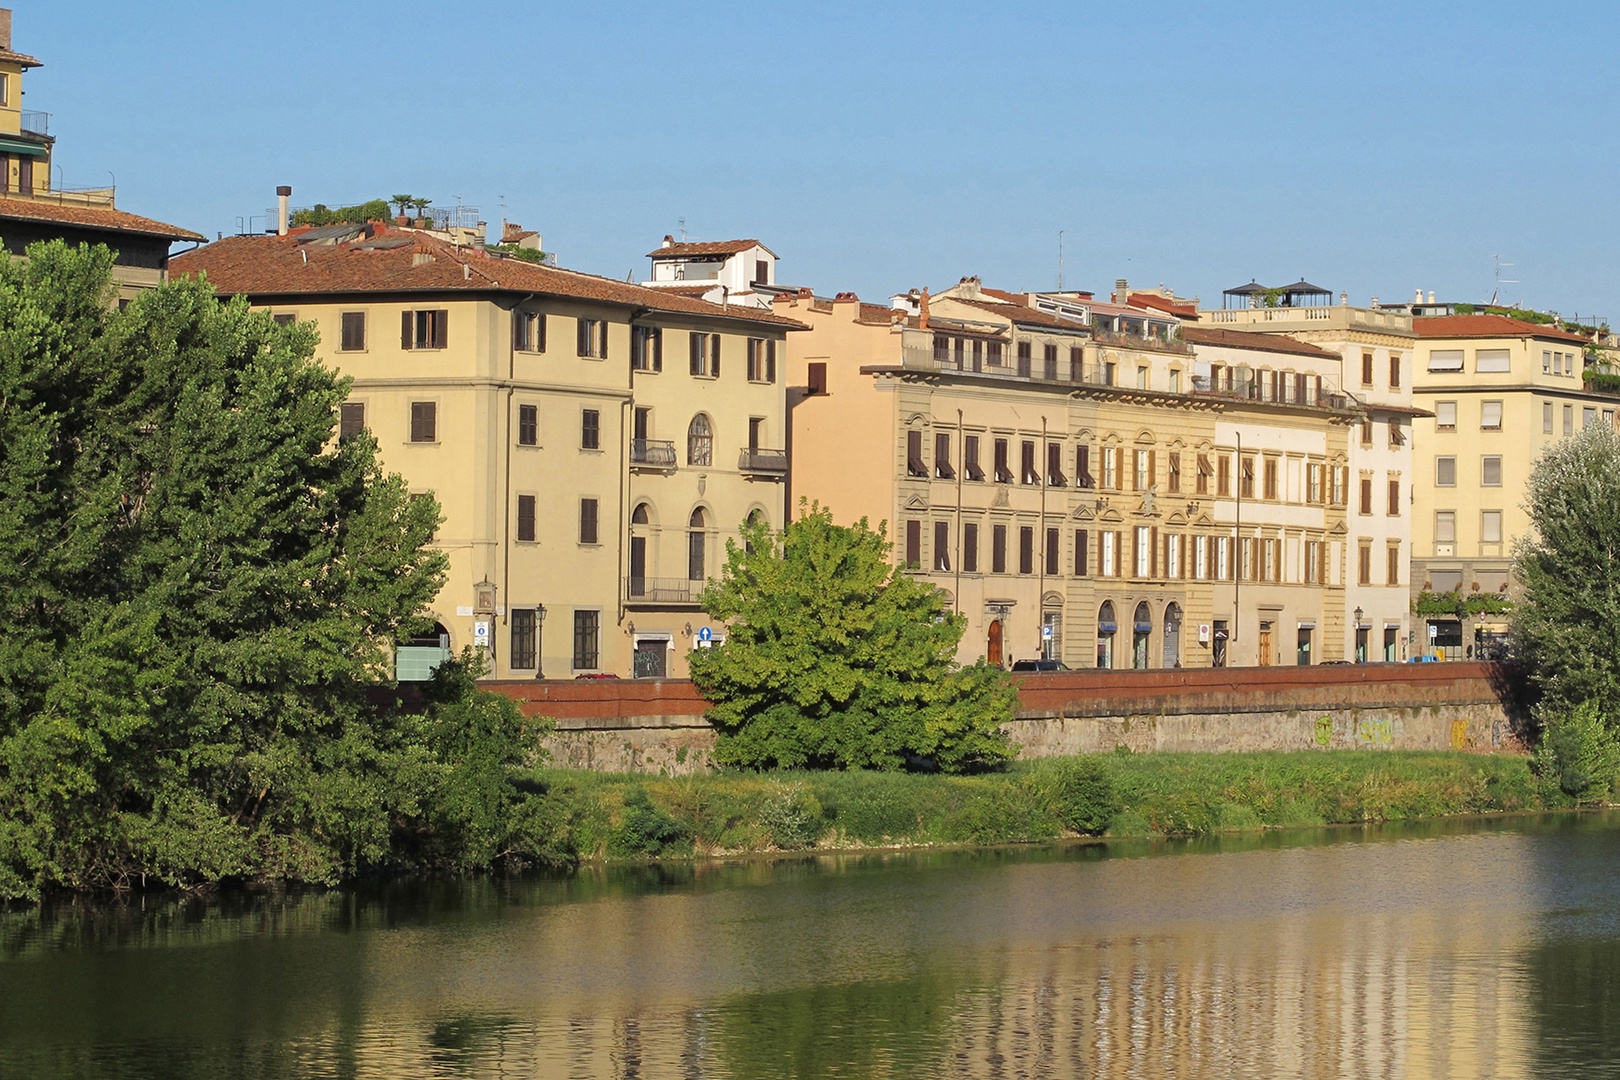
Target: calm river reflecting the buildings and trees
(1464, 950)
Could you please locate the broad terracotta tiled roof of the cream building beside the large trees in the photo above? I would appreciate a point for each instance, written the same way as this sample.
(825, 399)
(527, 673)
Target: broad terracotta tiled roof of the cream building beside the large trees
(383, 260)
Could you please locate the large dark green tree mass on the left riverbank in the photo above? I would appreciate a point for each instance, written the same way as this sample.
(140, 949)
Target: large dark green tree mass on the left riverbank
(198, 593)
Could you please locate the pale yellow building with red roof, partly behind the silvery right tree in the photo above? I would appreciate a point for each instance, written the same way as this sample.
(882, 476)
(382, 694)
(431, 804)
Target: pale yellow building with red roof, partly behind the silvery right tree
(1501, 391)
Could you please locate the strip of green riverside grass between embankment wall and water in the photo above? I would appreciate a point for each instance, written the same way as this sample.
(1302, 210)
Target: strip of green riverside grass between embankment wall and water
(1117, 796)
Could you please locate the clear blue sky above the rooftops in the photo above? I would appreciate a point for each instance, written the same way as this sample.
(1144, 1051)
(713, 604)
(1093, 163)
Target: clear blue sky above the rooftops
(1373, 148)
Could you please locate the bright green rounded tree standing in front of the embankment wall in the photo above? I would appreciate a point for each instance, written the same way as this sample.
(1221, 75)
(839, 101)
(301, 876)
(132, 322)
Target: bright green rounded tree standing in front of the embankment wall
(837, 660)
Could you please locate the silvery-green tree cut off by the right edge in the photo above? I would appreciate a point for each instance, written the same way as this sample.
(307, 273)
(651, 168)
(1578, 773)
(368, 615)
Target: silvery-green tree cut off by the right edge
(1567, 624)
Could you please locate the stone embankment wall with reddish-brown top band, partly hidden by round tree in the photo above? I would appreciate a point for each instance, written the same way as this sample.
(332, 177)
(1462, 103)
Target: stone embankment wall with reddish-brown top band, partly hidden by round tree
(657, 726)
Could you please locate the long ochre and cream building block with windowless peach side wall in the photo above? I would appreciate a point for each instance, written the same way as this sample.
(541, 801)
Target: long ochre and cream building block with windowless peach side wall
(1057, 466)
